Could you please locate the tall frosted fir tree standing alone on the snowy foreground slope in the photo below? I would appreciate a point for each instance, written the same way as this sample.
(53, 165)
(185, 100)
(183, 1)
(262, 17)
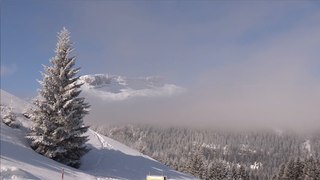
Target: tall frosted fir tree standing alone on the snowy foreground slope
(58, 119)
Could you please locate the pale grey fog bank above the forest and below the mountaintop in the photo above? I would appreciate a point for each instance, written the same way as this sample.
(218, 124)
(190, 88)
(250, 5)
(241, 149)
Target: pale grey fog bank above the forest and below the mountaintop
(269, 85)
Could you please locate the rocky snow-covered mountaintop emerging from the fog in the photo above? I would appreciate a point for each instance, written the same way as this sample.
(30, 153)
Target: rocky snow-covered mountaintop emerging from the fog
(117, 88)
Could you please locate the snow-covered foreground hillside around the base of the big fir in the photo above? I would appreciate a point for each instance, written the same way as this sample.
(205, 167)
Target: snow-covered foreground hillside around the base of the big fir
(108, 159)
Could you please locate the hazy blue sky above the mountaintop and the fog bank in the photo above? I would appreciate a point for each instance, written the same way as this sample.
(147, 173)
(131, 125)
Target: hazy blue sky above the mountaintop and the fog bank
(178, 40)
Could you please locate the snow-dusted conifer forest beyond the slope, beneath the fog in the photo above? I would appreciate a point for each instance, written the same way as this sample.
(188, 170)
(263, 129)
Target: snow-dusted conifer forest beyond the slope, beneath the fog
(209, 153)
